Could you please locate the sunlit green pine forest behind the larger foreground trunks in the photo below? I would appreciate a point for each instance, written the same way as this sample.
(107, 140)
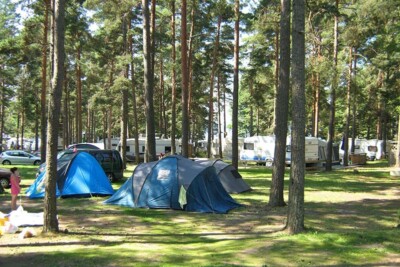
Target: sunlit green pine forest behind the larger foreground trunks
(104, 80)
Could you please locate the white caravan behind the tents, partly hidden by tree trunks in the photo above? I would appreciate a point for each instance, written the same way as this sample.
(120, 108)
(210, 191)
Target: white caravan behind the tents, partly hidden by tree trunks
(163, 147)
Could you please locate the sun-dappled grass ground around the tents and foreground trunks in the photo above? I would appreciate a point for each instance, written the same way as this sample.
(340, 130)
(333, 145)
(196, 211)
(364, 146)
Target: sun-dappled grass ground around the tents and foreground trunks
(351, 217)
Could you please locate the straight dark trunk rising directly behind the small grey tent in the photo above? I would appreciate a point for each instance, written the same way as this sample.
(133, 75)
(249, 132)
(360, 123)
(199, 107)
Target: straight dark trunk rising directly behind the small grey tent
(235, 96)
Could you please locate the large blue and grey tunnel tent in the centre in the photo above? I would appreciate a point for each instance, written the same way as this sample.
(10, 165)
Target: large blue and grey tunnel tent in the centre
(174, 182)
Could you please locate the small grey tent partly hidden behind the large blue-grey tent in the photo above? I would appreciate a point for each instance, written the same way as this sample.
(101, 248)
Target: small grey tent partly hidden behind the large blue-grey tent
(230, 178)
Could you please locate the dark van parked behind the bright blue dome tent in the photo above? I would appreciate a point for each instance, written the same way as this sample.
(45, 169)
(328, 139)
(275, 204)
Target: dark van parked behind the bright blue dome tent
(109, 159)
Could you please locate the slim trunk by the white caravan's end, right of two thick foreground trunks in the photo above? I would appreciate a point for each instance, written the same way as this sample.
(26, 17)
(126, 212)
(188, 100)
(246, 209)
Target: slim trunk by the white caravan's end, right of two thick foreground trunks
(332, 106)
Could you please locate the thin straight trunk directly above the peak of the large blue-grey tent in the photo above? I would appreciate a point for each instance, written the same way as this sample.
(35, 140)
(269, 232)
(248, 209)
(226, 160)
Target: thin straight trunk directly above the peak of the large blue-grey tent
(173, 85)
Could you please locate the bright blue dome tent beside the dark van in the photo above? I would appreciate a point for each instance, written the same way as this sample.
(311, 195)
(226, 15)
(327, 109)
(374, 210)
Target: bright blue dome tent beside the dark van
(82, 176)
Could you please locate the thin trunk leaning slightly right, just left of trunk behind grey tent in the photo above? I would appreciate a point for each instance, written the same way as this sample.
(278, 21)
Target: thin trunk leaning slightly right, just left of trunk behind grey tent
(211, 96)
